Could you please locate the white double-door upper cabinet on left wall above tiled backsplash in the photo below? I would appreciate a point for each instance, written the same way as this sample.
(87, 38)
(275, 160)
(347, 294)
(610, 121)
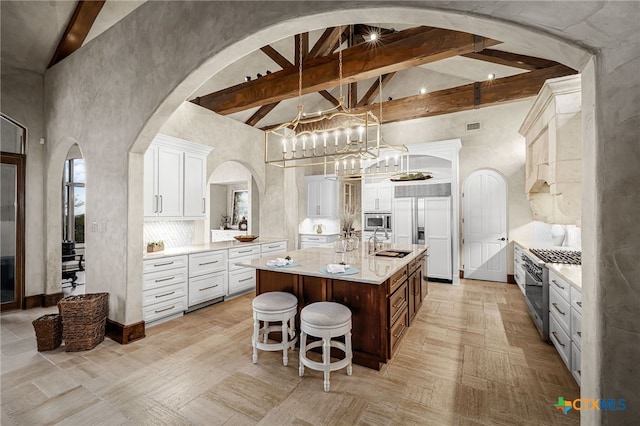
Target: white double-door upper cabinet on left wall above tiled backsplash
(175, 179)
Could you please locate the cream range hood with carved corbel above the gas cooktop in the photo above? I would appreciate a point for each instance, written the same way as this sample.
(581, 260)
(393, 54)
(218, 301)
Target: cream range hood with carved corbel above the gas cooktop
(553, 134)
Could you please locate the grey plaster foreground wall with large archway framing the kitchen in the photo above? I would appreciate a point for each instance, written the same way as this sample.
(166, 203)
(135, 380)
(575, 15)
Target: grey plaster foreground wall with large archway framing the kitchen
(115, 93)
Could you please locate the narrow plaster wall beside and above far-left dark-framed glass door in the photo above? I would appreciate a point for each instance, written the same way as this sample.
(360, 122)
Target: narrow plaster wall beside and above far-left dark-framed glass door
(22, 99)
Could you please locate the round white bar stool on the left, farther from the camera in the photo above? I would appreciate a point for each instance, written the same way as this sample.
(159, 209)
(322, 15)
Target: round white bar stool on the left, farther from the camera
(274, 306)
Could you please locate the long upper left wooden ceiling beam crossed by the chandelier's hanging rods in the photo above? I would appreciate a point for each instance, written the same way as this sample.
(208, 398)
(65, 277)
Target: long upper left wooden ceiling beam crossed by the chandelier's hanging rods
(398, 51)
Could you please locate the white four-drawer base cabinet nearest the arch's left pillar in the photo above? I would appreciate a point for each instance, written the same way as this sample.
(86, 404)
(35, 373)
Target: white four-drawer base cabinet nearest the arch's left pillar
(164, 288)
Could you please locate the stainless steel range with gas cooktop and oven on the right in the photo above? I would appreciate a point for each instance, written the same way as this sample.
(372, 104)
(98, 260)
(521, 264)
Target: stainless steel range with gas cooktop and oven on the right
(537, 282)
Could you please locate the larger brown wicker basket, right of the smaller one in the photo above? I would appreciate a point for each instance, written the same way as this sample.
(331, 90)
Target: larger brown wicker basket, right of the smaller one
(83, 320)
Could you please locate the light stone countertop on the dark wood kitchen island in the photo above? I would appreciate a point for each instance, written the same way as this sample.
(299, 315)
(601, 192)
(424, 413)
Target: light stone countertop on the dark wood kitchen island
(372, 269)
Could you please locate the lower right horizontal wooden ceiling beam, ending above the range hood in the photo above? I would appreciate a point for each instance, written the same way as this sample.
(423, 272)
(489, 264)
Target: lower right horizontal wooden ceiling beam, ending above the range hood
(462, 98)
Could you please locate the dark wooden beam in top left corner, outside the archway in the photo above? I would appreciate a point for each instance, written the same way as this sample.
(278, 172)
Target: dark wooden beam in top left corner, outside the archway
(77, 29)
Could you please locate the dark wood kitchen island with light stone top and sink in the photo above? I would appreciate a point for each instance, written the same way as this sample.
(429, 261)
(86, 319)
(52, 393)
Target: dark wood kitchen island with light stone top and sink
(383, 293)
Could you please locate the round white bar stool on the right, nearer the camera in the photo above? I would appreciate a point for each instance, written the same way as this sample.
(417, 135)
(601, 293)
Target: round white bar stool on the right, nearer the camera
(325, 320)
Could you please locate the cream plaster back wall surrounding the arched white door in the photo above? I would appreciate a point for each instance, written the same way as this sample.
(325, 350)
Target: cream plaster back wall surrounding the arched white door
(497, 145)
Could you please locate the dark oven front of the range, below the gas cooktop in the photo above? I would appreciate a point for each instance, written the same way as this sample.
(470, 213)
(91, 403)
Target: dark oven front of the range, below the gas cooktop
(537, 292)
